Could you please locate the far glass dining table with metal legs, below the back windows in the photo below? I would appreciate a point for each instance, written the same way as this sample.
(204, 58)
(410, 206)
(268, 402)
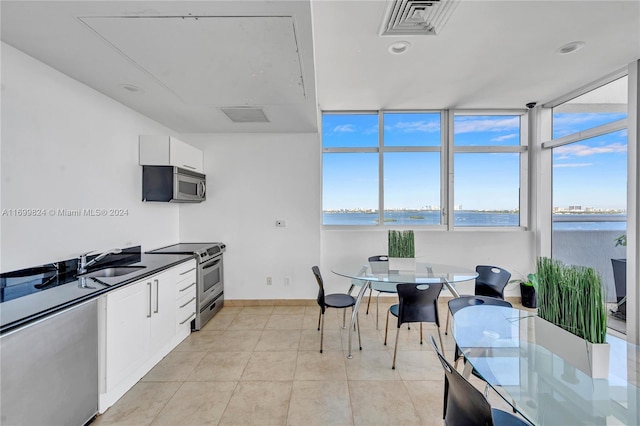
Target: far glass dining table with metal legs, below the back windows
(385, 279)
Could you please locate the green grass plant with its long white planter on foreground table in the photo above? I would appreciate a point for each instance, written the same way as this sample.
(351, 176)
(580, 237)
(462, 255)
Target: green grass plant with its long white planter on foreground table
(572, 315)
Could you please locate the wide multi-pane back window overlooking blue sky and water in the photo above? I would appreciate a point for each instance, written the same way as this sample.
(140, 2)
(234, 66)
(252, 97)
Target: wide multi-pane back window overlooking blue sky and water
(392, 168)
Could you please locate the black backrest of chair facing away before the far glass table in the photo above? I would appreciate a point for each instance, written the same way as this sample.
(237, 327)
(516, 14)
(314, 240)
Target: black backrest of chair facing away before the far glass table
(418, 302)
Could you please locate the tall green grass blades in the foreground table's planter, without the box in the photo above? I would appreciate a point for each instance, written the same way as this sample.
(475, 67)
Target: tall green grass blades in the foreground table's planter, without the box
(572, 297)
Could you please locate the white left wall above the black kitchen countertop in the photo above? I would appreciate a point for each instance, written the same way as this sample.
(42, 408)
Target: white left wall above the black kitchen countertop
(66, 146)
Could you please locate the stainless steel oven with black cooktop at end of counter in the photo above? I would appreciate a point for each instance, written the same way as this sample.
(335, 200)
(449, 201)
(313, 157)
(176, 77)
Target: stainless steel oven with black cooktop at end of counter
(209, 277)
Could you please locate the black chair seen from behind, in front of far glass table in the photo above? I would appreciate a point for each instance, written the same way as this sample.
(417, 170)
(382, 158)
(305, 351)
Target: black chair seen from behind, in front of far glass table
(417, 303)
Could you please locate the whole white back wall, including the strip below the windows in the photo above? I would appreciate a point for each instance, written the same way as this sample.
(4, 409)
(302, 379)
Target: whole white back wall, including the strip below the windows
(254, 179)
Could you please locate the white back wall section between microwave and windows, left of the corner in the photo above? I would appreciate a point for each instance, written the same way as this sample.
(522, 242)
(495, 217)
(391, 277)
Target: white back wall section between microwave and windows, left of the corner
(252, 180)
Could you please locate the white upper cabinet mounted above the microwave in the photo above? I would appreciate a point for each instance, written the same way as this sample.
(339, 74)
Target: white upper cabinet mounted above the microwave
(169, 151)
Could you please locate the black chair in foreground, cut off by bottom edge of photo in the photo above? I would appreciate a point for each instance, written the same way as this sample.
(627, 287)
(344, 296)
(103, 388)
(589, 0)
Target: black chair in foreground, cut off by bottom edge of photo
(464, 405)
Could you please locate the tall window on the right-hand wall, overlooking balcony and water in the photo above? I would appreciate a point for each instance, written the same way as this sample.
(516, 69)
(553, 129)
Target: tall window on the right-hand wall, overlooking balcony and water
(589, 179)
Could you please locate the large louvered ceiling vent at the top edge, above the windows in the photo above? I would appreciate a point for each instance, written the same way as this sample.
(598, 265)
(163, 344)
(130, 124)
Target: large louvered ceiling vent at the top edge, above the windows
(412, 17)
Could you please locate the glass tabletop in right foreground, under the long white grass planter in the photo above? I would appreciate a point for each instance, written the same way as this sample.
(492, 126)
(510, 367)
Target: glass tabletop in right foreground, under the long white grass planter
(501, 345)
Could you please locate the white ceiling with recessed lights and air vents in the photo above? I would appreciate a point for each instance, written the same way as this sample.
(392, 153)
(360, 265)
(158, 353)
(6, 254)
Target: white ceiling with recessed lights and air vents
(293, 57)
